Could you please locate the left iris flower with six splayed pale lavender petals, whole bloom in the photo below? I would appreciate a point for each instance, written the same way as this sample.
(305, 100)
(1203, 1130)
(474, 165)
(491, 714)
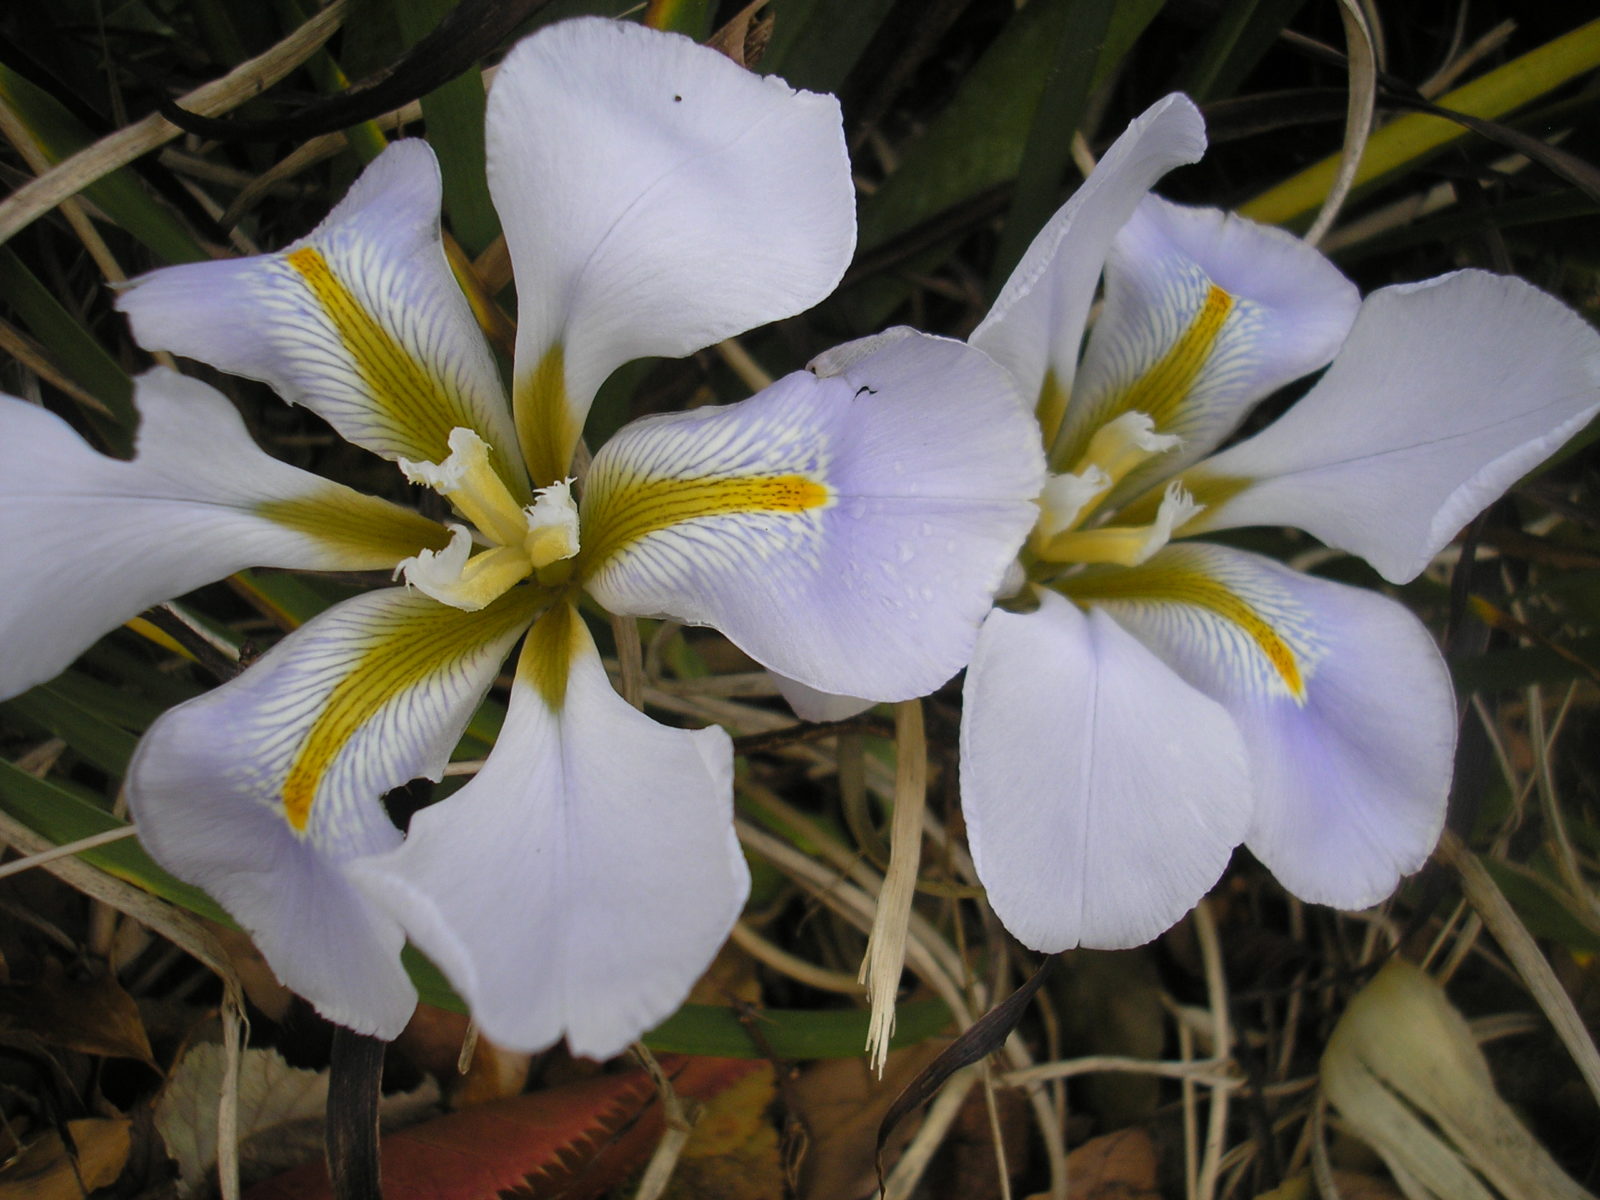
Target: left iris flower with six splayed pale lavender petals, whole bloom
(846, 527)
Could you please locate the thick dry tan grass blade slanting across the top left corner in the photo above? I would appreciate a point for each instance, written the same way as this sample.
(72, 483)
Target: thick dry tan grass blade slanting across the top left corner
(244, 82)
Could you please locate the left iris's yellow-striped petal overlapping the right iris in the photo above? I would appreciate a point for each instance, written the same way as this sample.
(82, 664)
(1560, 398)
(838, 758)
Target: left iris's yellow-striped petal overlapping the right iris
(849, 532)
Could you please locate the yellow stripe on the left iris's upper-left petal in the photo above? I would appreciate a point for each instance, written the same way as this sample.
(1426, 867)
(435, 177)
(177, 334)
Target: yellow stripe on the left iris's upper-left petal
(422, 409)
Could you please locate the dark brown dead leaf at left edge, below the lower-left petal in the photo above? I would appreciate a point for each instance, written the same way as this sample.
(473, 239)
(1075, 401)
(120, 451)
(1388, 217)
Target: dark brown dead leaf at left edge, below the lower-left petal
(92, 1015)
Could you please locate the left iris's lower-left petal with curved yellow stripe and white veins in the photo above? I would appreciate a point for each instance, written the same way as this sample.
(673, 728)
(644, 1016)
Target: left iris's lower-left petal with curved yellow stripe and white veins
(268, 788)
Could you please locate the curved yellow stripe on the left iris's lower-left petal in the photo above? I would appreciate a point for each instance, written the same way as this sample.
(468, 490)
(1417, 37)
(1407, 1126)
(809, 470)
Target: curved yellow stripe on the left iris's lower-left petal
(409, 654)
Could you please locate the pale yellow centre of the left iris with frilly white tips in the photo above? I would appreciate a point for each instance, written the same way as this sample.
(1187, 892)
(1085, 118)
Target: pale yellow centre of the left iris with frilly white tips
(518, 542)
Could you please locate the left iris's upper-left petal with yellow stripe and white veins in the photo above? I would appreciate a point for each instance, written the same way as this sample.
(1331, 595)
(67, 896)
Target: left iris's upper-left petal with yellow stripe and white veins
(361, 321)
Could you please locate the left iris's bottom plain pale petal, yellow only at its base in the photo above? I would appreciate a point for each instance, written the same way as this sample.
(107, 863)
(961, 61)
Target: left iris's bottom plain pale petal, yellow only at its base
(588, 874)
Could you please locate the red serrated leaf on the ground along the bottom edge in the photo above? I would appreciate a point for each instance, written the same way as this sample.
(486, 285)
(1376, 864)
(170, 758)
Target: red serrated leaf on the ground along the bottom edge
(569, 1143)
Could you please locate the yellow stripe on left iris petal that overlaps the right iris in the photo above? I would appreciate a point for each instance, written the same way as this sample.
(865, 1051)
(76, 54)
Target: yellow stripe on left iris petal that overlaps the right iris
(638, 508)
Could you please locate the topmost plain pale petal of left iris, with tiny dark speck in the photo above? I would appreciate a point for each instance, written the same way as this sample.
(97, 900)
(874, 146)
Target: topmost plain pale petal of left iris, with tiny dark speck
(657, 199)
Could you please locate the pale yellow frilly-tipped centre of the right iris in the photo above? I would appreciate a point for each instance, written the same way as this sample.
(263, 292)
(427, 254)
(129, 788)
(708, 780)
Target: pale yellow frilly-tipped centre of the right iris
(1073, 500)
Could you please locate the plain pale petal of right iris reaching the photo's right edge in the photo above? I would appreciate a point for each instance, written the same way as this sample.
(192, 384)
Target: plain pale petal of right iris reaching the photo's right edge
(1442, 398)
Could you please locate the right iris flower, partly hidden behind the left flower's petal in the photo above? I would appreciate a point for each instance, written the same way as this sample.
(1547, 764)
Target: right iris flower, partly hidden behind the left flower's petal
(1142, 703)
